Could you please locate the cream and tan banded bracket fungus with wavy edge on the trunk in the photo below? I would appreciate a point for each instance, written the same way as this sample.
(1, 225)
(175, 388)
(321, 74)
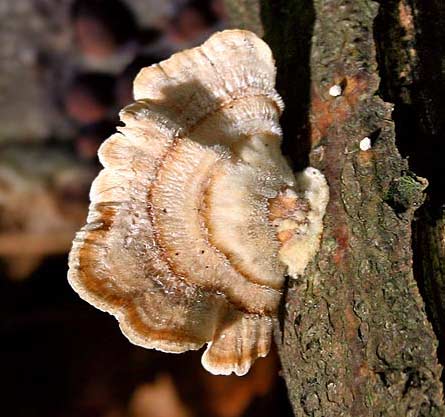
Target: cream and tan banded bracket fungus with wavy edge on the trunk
(196, 217)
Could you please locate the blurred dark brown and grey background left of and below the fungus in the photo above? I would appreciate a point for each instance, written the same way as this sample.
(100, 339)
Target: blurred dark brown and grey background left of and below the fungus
(66, 68)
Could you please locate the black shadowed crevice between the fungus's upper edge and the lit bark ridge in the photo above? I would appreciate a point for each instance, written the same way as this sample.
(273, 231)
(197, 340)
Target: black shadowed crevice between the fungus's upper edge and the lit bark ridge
(292, 52)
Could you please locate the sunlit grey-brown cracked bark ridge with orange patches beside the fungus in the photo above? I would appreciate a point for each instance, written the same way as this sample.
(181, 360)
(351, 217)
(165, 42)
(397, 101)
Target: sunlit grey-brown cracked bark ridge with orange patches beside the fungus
(355, 338)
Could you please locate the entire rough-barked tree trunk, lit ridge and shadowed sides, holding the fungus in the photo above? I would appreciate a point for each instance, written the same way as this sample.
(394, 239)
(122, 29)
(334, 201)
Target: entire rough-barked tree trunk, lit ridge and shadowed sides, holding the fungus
(354, 337)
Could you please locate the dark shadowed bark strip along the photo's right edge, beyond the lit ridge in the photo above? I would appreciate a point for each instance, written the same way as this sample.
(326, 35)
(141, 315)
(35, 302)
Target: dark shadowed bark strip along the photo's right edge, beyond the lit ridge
(410, 38)
